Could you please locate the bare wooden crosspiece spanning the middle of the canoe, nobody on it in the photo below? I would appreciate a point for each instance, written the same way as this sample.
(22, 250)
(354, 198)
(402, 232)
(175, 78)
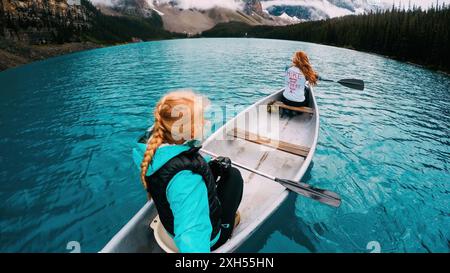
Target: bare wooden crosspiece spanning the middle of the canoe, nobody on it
(277, 144)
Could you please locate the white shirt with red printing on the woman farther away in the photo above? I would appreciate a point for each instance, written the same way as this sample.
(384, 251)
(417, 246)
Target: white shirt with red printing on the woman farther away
(295, 83)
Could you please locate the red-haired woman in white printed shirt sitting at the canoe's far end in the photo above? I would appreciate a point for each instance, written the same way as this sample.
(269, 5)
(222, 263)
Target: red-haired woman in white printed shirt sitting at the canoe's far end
(299, 77)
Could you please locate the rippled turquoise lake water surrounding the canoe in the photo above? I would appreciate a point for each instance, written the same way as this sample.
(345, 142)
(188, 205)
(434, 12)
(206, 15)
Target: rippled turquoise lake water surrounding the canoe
(68, 124)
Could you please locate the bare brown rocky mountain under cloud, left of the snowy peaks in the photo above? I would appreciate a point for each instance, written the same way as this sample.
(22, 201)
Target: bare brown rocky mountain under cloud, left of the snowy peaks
(192, 17)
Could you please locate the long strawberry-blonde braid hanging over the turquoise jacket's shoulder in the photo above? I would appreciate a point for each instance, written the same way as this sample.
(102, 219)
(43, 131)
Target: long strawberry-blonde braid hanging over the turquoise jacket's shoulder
(154, 142)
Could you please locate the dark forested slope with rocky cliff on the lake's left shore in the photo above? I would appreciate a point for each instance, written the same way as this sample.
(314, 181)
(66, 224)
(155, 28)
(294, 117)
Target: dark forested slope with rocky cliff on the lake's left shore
(38, 29)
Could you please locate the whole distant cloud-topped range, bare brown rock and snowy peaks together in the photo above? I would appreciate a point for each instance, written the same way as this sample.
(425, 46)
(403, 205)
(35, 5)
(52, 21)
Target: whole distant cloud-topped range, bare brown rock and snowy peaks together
(194, 16)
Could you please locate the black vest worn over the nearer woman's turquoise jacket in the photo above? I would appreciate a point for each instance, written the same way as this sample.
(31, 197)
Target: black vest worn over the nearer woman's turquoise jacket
(157, 185)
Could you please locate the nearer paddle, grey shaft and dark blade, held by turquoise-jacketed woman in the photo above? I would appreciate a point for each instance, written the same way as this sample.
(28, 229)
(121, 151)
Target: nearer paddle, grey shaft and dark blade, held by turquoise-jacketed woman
(323, 196)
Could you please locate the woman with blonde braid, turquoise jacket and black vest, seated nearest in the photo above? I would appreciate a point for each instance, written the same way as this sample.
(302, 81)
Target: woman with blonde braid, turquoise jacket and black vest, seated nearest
(195, 209)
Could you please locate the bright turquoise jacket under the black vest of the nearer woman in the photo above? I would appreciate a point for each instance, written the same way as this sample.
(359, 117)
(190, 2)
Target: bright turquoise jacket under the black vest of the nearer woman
(188, 199)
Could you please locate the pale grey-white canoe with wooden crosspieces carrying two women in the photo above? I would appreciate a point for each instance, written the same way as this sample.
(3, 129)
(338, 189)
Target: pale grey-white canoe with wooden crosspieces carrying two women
(282, 147)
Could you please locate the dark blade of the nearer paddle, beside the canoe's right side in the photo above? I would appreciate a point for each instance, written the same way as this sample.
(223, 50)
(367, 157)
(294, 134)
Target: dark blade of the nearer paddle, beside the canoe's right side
(323, 196)
